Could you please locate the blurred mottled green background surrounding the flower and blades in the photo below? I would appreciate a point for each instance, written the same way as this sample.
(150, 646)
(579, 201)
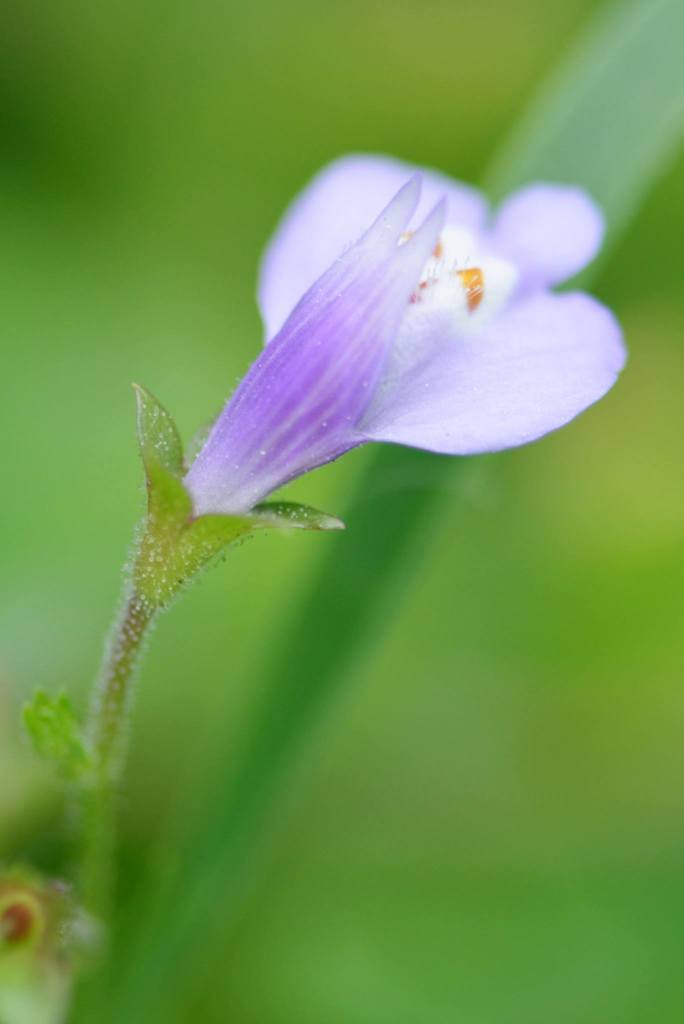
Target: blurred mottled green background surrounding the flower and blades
(490, 828)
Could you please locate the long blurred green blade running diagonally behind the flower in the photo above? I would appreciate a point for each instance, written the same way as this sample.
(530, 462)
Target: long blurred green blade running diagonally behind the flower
(620, 83)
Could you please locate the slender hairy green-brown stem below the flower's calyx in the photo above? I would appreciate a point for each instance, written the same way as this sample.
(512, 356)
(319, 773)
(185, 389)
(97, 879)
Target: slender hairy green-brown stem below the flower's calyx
(108, 731)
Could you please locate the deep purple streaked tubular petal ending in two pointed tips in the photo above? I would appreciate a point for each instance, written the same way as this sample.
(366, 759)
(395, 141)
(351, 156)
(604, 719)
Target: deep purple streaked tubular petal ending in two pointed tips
(298, 406)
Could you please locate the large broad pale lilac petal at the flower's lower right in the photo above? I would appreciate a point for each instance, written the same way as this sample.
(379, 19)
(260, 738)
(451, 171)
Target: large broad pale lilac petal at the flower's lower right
(531, 372)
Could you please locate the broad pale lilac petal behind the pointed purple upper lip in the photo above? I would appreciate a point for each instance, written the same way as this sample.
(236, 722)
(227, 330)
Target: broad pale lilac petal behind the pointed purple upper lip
(333, 211)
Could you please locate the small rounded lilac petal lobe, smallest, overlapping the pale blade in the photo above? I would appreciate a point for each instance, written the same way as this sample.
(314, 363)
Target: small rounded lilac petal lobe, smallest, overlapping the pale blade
(548, 232)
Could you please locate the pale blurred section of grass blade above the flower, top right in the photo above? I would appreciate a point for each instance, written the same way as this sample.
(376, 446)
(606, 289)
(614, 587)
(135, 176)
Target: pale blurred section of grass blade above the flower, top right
(611, 117)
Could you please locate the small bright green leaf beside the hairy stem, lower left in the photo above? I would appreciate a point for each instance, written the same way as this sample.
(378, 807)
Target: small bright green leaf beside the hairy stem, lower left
(56, 734)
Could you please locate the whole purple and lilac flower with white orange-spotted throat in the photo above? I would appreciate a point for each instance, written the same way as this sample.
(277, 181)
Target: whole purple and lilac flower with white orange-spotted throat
(437, 329)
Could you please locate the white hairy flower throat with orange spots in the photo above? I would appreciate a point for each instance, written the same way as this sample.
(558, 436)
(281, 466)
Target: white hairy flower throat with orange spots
(460, 279)
